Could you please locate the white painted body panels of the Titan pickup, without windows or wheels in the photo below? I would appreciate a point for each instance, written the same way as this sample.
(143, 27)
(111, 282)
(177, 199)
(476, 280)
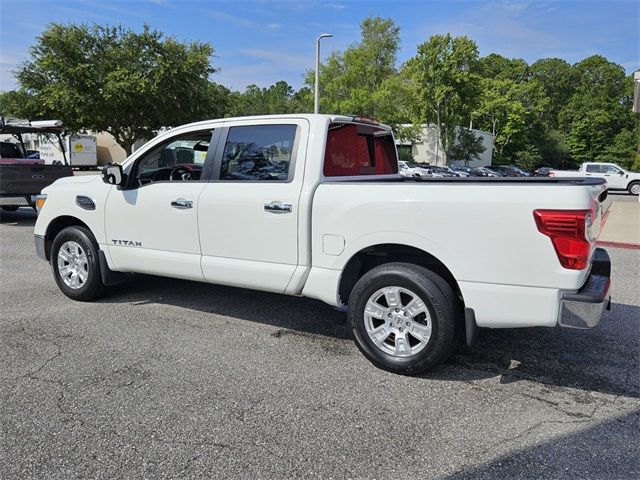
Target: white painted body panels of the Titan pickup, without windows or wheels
(483, 232)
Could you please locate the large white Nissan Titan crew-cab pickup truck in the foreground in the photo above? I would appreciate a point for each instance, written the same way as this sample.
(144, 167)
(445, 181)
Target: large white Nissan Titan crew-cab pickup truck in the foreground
(313, 205)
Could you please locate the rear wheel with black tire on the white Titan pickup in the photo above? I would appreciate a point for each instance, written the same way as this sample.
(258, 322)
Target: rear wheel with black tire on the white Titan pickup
(408, 340)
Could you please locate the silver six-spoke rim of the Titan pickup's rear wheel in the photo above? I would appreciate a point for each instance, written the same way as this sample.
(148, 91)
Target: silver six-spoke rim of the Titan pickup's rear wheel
(397, 321)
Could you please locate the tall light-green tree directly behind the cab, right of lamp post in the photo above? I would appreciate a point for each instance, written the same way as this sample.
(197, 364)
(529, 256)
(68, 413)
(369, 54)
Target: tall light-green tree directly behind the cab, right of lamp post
(351, 79)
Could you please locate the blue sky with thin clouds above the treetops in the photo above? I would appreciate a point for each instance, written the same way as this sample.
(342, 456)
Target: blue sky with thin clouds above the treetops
(264, 41)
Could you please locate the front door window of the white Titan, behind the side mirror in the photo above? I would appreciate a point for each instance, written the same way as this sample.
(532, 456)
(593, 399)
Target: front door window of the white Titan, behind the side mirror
(180, 159)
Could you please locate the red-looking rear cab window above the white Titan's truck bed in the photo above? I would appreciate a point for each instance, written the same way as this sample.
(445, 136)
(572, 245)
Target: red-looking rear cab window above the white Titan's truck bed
(354, 149)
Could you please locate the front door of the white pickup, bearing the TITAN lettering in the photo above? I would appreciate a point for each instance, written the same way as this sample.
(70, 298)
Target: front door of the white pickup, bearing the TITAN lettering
(152, 223)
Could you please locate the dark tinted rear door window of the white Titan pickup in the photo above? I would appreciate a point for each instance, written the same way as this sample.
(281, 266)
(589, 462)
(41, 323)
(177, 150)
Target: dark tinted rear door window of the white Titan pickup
(258, 152)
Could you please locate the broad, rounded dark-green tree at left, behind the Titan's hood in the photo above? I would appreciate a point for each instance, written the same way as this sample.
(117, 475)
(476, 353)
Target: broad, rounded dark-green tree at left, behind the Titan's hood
(115, 80)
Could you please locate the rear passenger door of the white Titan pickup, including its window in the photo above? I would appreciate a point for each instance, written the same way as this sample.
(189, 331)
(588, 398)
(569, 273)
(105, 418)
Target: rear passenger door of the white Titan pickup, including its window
(248, 213)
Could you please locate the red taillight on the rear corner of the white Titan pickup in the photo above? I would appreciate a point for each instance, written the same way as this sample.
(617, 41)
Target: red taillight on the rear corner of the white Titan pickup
(568, 230)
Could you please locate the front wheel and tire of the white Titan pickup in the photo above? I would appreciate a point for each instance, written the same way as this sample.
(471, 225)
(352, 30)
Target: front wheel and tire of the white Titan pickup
(77, 270)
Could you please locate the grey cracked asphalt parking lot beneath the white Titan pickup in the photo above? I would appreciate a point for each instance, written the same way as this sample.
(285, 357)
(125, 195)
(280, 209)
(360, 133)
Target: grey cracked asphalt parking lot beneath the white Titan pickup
(165, 378)
